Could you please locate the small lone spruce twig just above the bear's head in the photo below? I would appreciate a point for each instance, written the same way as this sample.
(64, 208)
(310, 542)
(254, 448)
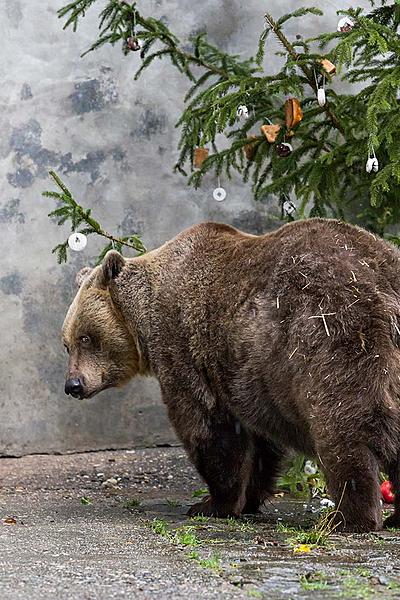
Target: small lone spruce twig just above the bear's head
(79, 217)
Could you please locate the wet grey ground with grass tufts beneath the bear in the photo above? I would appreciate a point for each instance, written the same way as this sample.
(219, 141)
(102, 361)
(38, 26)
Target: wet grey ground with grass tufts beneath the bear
(112, 525)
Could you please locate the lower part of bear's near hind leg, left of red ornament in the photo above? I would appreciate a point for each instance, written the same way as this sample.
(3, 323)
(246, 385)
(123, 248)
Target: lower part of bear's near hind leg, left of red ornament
(352, 474)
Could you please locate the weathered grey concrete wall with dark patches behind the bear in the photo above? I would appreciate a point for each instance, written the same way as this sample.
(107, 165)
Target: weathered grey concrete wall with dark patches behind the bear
(114, 142)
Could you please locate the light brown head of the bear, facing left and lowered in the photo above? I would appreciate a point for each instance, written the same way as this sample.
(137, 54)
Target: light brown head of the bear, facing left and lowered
(103, 352)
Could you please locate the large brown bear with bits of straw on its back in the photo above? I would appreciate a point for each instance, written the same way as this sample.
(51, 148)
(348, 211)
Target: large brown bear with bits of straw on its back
(261, 345)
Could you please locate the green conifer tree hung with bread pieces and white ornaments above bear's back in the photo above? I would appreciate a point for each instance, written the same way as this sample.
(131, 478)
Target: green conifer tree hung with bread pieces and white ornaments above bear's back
(336, 156)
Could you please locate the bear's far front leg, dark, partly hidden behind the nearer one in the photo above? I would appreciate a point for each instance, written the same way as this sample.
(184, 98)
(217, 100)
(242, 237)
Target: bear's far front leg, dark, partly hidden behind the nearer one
(267, 460)
